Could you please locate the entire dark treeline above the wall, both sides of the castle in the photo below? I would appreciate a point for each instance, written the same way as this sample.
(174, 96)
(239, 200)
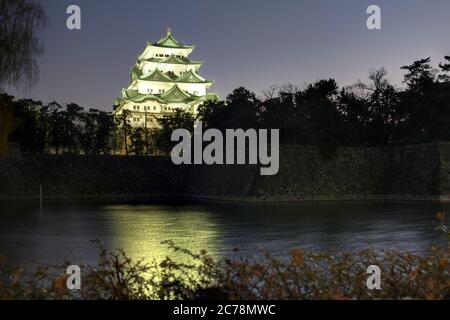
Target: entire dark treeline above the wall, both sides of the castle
(364, 114)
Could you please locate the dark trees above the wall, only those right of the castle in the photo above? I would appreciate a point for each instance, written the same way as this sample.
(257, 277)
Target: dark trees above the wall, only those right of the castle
(374, 113)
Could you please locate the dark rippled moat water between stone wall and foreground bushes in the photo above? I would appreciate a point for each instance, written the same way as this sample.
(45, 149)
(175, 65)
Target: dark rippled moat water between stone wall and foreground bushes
(61, 233)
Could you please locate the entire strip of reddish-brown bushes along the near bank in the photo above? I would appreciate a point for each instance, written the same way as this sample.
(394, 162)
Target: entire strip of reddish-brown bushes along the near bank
(304, 275)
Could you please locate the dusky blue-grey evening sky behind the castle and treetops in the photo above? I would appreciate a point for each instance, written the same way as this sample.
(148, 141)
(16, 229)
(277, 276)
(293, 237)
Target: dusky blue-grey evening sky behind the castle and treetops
(253, 43)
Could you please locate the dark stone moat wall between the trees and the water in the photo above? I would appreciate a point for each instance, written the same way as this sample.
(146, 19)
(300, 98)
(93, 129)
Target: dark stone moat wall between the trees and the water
(420, 172)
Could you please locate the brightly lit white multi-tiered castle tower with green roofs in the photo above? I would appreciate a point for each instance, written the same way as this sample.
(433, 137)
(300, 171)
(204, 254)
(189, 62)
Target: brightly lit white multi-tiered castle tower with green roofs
(163, 79)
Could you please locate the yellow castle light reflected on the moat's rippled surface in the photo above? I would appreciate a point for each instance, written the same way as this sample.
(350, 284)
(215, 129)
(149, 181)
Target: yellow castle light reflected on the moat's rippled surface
(139, 231)
